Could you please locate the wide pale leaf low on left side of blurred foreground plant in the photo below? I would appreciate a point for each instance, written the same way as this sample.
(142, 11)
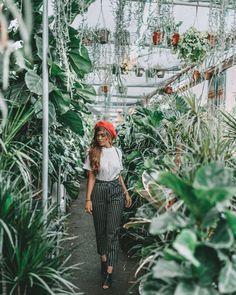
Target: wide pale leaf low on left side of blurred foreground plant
(169, 269)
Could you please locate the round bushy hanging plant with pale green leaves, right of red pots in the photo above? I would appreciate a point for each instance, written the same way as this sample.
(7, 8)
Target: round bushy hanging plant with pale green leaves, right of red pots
(193, 46)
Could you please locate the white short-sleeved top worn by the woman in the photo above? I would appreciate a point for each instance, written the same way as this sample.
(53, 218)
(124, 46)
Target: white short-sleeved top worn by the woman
(110, 164)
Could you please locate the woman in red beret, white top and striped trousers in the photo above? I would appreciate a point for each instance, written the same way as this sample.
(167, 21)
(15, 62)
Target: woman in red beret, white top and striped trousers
(106, 195)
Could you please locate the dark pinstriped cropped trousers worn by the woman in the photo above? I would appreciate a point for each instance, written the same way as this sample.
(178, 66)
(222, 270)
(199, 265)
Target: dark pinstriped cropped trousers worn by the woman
(108, 204)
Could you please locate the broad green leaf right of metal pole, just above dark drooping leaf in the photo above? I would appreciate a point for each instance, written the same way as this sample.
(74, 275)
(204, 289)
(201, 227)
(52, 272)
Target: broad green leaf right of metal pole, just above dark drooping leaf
(60, 100)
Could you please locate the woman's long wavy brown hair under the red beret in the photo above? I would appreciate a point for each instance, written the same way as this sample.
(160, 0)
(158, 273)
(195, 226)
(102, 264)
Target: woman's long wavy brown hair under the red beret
(95, 150)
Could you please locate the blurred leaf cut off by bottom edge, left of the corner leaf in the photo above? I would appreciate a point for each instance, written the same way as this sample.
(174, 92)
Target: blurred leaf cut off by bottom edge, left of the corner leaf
(191, 288)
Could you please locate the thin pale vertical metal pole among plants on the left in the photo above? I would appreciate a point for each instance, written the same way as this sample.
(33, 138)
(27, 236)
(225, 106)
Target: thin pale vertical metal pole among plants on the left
(45, 106)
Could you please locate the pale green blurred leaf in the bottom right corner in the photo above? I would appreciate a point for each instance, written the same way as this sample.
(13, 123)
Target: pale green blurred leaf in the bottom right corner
(227, 278)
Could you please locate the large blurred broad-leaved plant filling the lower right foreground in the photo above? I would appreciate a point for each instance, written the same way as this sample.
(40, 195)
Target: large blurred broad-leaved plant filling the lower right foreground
(200, 259)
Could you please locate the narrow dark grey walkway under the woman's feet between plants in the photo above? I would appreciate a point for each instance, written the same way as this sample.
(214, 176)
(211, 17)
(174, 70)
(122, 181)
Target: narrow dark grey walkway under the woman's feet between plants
(88, 278)
